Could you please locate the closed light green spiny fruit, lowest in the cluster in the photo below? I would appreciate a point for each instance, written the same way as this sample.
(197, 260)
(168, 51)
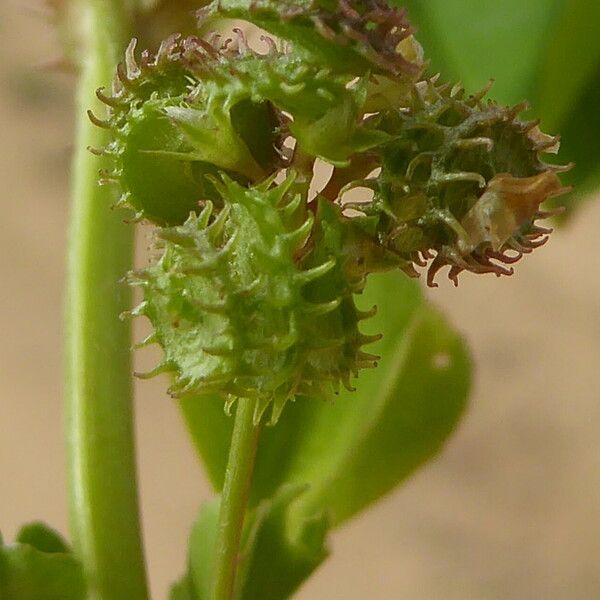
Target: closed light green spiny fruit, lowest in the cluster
(243, 307)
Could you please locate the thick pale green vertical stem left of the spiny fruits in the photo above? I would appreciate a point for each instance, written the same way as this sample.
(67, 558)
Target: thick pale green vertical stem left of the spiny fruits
(101, 453)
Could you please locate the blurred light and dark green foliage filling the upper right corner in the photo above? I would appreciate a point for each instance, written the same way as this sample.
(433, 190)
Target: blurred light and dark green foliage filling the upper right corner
(545, 50)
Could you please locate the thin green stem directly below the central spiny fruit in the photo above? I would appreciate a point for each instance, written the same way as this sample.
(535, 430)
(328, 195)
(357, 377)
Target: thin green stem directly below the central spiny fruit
(234, 499)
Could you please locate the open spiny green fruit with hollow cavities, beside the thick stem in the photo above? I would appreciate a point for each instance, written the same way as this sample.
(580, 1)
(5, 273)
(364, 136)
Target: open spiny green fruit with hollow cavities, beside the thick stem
(200, 107)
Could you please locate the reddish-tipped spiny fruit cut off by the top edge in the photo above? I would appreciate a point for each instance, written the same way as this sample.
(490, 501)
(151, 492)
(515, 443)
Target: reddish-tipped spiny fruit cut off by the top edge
(349, 36)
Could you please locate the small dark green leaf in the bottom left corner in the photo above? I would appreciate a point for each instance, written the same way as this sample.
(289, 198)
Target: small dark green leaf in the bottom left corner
(39, 567)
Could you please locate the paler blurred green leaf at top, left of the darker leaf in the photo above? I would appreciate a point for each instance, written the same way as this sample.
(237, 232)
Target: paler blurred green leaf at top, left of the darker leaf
(479, 40)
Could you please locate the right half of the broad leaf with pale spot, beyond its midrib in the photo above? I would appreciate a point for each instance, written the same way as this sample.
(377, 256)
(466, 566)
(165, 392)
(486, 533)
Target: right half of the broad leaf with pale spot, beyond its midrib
(422, 398)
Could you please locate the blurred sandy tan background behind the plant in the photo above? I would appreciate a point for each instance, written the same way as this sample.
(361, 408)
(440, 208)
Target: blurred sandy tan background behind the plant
(509, 510)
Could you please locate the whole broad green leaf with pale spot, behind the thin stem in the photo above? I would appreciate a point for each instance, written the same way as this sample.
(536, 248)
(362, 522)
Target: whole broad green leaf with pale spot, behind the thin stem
(399, 416)
